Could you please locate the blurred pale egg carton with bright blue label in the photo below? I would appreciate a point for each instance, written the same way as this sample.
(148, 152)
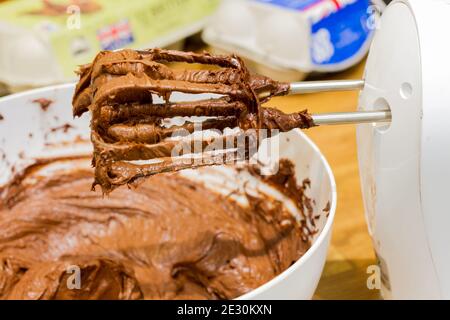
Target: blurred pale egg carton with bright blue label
(303, 35)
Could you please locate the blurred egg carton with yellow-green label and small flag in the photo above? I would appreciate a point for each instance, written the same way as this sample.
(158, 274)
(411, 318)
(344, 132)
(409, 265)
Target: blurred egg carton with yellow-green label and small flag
(43, 42)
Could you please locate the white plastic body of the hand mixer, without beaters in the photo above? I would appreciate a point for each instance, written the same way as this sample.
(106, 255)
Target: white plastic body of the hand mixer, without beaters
(405, 165)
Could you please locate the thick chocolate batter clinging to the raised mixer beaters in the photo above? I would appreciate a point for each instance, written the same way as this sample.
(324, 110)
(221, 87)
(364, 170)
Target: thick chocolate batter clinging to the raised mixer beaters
(117, 88)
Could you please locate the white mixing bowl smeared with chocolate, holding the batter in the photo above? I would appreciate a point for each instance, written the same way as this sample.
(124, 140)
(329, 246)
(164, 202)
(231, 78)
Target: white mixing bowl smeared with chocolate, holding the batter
(28, 132)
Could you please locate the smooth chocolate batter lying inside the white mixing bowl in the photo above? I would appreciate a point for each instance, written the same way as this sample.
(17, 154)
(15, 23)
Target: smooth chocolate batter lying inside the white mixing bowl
(171, 238)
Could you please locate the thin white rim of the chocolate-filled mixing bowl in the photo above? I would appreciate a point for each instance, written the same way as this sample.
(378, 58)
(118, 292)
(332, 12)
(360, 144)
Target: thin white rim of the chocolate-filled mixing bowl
(309, 253)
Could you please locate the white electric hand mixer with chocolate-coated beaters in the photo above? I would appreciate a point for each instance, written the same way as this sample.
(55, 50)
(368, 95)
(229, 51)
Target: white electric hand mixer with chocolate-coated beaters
(403, 163)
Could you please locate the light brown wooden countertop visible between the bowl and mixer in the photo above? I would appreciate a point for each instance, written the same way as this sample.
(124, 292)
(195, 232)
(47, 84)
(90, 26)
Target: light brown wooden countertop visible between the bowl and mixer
(351, 250)
